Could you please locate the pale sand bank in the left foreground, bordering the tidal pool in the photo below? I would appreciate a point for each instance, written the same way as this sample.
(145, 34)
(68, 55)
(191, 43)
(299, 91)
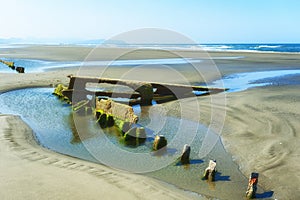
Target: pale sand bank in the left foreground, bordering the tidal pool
(25, 152)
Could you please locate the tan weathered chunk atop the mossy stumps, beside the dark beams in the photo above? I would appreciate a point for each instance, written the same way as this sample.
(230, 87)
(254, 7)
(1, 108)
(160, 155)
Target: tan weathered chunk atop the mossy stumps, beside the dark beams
(121, 111)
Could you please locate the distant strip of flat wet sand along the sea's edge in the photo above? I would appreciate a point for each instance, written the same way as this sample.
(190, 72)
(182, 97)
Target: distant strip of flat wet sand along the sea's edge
(26, 52)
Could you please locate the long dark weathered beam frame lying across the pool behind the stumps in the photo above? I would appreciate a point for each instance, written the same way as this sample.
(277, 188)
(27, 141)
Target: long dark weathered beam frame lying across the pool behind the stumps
(143, 90)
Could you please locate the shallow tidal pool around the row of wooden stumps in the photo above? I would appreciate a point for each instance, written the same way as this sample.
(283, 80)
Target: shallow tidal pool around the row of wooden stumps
(52, 123)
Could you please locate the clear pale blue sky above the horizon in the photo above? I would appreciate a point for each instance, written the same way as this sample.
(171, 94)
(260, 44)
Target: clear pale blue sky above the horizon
(204, 21)
